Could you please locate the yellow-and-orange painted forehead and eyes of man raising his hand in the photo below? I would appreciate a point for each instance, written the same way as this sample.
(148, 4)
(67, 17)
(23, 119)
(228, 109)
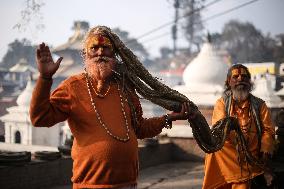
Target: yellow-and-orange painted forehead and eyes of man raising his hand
(98, 40)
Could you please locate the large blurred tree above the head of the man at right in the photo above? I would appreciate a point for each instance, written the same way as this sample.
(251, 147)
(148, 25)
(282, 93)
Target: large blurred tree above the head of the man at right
(245, 43)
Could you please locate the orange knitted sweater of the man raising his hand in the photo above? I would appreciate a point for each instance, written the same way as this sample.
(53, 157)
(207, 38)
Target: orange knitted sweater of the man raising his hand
(99, 161)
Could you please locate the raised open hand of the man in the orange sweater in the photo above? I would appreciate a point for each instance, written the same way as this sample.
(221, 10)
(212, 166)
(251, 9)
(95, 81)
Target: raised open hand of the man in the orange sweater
(46, 66)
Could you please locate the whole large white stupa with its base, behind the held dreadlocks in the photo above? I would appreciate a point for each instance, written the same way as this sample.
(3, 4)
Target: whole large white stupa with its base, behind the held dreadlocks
(204, 79)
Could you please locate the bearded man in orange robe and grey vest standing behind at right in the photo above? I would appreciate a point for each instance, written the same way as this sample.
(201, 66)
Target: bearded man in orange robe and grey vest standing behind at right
(229, 168)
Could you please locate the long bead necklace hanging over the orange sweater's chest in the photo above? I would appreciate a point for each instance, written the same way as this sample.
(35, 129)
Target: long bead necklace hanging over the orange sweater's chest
(99, 117)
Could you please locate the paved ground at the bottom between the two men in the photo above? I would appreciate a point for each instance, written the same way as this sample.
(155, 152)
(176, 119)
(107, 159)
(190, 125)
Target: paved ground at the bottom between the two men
(179, 175)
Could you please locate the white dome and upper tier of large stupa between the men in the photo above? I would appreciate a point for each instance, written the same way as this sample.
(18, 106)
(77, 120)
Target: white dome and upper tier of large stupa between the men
(205, 76)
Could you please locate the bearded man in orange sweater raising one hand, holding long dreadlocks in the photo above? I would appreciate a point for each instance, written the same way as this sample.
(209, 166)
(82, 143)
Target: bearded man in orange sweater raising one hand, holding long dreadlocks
(102, 109)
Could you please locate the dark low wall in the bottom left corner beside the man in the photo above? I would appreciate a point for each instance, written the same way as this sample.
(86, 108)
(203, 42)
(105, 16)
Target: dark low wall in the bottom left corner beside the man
(36, 174)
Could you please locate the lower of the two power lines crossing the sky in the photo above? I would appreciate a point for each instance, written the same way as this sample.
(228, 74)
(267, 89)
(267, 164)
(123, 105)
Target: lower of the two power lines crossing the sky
(204, 20)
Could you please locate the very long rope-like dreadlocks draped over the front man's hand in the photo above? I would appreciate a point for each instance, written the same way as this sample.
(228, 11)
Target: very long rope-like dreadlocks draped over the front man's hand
(132, 74)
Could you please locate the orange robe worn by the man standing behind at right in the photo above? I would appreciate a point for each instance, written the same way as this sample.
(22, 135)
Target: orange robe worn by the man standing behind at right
(223, 166)
